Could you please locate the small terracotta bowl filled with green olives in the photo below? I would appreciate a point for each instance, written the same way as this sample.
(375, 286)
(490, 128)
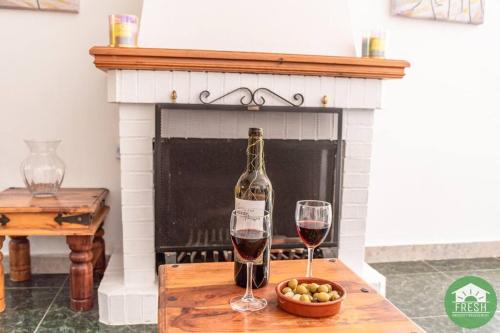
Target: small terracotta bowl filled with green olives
(310, 297)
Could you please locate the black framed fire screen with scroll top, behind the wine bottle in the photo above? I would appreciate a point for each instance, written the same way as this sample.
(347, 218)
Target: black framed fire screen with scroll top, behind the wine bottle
(194, 182)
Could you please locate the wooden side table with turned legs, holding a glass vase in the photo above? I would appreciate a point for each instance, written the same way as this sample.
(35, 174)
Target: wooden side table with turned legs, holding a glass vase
(77, 213)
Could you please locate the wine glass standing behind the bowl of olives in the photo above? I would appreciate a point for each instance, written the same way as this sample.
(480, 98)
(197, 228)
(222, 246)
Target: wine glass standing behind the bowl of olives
(313, 219)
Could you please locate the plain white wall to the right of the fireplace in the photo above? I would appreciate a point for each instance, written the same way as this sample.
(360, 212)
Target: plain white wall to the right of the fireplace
(436, 158)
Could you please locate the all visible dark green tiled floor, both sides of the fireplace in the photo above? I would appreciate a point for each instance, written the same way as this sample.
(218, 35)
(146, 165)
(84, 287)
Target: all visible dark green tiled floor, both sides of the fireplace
(41, 305)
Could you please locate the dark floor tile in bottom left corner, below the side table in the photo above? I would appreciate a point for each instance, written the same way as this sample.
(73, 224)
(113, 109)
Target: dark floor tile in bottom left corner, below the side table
(25, 308)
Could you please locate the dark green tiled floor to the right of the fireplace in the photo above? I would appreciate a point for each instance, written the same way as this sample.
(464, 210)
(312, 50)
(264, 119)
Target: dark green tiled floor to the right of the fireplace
(418, 288)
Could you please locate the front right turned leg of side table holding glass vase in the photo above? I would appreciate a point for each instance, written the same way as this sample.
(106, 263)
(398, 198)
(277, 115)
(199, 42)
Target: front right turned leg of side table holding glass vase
(81, 275)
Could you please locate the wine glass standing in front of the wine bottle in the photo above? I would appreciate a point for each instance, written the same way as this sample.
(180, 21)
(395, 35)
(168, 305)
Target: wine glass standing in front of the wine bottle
(250, 233)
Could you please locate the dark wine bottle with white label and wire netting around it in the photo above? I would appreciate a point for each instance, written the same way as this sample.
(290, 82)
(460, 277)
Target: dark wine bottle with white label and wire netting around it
(254, 193)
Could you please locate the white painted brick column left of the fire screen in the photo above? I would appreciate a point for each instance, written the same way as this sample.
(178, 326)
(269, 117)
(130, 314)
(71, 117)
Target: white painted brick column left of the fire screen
(136, 150)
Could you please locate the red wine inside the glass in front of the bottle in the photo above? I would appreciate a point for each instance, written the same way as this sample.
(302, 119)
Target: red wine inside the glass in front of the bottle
(249, 243)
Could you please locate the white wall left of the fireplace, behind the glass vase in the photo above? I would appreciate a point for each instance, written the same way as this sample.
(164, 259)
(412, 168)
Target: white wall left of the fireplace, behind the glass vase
(49, 88)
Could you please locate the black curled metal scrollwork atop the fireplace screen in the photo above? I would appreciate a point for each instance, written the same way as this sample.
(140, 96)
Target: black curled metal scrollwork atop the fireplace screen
(255, 97)
